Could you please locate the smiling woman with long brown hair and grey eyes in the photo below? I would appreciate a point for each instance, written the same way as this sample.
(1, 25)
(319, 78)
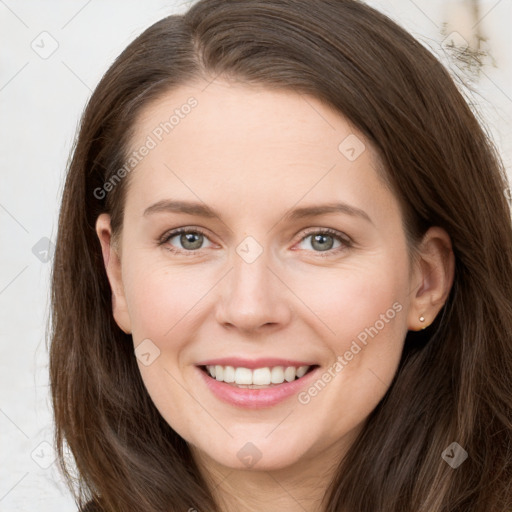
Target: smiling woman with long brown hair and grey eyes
(283, 275)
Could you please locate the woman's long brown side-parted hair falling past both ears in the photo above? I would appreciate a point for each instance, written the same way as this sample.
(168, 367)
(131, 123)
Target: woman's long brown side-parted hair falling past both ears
(454, 383)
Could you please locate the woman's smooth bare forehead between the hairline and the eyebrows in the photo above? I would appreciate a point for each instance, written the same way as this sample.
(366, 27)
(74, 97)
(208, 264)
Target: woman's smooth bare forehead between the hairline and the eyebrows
(247, 146)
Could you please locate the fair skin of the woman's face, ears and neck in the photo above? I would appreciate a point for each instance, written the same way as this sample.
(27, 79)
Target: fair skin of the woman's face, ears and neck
(253, 154)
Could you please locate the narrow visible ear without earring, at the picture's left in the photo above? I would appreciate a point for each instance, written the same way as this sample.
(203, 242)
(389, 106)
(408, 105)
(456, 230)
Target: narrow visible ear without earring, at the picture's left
(112, 260)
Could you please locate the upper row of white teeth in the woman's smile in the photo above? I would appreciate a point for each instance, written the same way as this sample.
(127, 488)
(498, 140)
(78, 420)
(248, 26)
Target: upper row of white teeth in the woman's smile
(257, 377)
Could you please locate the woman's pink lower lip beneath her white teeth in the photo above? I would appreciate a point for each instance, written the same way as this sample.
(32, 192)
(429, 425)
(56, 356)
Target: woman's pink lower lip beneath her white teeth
(256, 398)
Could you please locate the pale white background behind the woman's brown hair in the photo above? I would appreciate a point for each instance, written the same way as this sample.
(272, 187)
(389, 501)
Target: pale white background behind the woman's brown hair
(41, 100)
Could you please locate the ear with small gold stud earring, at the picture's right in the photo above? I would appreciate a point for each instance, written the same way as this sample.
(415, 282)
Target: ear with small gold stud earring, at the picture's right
(432, 278)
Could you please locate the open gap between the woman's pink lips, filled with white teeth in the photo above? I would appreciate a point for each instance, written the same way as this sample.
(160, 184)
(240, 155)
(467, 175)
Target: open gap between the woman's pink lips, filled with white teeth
(256, 378)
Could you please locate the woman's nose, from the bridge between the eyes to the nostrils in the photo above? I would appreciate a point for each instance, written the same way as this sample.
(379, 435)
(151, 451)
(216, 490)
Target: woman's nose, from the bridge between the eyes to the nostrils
(251, 295)
